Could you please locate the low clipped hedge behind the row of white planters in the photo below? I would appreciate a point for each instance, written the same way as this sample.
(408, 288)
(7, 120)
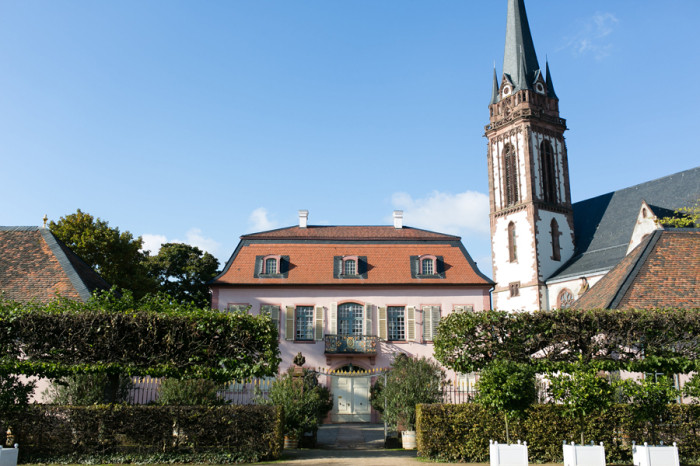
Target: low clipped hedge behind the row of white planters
(462, 432)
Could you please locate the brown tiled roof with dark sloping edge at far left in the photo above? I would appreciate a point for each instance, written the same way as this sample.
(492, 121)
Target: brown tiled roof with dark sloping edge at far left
(36, 266)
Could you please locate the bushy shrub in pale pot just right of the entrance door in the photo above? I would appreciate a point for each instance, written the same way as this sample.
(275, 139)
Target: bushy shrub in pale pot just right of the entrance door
(410, 381)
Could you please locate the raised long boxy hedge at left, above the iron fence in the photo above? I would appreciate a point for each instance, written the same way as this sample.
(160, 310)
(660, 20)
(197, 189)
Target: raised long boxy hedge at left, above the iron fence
(119, 334)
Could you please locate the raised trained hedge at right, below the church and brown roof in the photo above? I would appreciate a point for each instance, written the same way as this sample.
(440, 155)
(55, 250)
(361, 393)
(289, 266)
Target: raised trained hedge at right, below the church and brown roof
(661, 340)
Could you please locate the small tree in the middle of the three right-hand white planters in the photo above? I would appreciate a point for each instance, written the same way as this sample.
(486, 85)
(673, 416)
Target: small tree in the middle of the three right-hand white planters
(582, 391)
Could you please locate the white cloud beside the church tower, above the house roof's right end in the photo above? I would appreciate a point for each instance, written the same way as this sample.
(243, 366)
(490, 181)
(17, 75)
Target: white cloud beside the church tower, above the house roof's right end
(459, 214)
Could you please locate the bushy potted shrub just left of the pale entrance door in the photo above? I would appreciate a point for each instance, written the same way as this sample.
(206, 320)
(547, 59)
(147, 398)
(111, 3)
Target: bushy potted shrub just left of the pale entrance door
(305, 403)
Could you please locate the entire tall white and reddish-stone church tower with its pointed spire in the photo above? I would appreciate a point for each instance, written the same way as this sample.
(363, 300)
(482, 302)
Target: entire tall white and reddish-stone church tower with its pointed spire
(530, 202)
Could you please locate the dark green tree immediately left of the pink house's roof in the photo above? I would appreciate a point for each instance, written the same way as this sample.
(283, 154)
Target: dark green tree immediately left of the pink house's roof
(182, 271)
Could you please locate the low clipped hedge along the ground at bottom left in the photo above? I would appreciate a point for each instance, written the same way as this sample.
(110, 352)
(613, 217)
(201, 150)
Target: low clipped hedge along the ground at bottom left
(154, 434)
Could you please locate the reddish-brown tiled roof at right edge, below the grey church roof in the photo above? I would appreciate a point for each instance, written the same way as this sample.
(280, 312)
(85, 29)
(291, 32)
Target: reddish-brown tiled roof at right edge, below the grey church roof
(662, 271)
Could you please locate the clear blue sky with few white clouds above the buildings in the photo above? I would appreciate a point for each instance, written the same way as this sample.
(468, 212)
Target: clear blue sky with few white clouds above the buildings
(202, 121)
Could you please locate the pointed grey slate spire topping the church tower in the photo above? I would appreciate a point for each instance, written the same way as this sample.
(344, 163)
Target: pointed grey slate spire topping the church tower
(520, 50)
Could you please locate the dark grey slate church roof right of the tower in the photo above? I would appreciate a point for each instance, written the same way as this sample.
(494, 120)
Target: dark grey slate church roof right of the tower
(604, 224)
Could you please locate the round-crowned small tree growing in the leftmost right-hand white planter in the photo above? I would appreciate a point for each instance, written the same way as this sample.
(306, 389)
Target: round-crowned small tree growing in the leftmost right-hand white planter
(507, 387)
